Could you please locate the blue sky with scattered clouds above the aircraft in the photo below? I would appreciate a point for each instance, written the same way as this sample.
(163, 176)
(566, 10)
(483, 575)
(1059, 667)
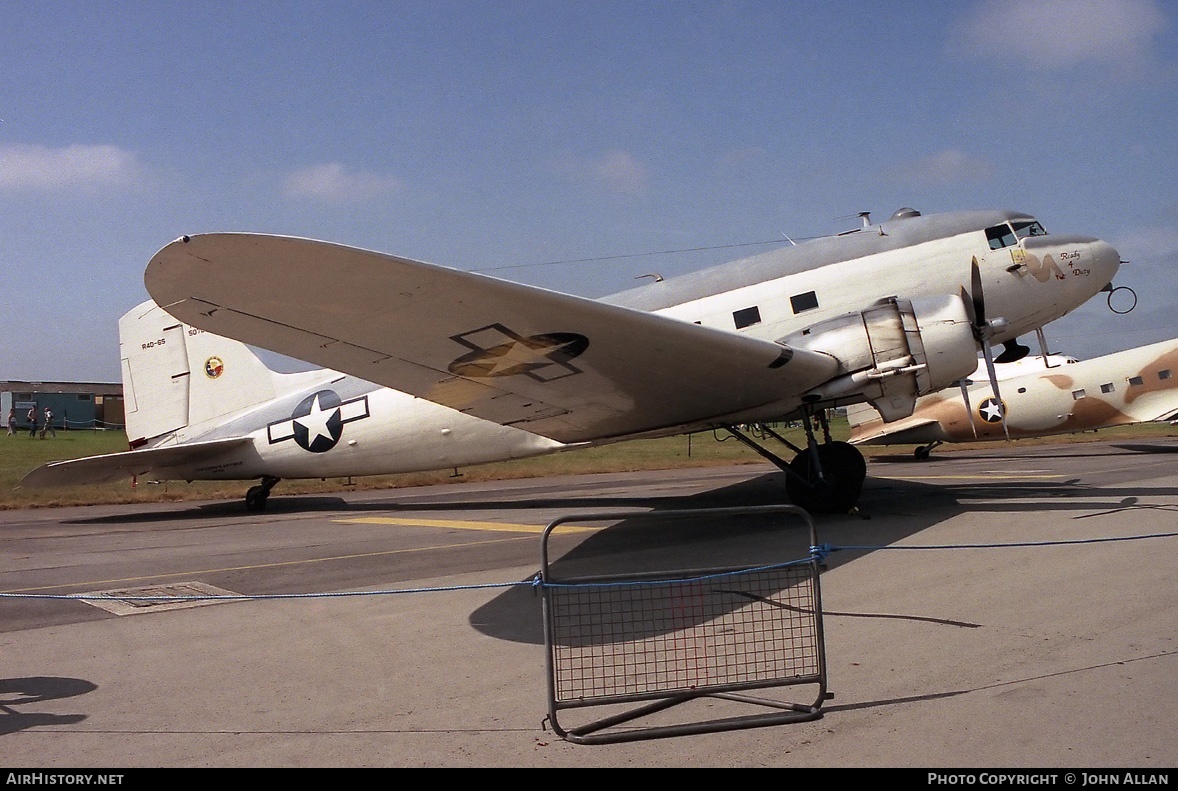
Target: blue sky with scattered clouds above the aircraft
(504, 136)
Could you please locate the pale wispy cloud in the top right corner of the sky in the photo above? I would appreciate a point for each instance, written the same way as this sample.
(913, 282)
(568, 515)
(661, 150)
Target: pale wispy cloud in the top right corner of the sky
(1058, 35)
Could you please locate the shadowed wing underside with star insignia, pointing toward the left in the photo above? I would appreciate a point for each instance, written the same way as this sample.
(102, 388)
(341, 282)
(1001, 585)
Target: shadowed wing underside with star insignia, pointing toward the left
(564, 367)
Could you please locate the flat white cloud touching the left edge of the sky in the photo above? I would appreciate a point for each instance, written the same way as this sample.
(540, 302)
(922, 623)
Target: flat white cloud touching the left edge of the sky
(24, 167)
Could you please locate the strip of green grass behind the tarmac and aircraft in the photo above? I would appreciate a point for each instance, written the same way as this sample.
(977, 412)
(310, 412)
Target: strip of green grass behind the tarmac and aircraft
(21, 454)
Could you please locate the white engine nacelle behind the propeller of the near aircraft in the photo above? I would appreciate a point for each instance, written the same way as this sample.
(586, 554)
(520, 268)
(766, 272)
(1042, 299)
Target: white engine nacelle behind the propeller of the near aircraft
(894, 353)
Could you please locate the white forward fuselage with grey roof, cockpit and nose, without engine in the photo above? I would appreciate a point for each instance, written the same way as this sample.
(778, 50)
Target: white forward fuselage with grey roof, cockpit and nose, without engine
(1030, 281)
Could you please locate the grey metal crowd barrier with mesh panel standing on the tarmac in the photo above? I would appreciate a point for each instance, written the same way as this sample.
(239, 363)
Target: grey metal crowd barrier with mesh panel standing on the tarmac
(634, 647)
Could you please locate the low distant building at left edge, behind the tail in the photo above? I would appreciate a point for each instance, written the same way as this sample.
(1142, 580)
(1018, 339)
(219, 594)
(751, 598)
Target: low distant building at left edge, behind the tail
(75, 405)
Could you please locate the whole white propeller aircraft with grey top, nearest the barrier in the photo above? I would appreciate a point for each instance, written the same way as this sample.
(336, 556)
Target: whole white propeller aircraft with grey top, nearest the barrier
(435, 368)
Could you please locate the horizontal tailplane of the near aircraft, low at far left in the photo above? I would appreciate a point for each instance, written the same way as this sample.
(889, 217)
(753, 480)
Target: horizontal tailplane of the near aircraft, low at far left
(118, 466)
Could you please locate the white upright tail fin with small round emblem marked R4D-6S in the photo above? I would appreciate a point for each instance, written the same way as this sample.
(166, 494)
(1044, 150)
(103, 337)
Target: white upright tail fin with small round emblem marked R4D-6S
(177, 378)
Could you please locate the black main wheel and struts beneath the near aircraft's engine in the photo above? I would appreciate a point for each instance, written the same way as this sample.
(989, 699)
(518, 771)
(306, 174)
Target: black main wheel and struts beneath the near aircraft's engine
(826, 478)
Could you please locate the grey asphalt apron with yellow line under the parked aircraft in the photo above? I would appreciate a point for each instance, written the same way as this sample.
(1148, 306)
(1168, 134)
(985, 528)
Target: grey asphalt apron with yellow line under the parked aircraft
(1058, 652)
